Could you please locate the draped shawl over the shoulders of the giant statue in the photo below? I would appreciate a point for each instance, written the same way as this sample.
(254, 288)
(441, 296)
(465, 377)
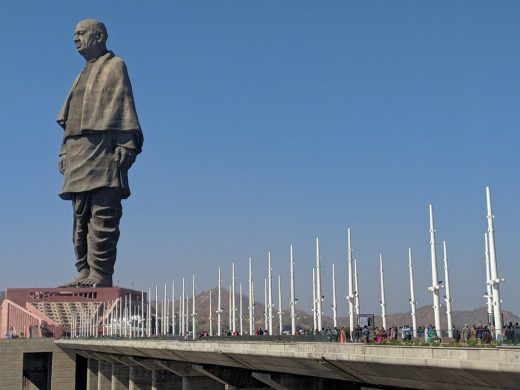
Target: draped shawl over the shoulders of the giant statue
(108, 102)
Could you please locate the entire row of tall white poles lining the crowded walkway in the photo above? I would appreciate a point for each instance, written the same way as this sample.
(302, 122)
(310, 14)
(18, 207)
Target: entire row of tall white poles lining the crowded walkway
(140, 318)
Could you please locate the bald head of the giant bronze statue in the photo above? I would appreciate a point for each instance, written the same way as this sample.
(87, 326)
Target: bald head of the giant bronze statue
(90, 38)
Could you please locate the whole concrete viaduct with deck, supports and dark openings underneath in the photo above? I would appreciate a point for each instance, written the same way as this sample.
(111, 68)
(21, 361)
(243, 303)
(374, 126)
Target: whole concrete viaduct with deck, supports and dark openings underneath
(106, 363)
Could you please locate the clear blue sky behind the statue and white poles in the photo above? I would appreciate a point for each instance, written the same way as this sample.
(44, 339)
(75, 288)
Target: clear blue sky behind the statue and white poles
(268, 123)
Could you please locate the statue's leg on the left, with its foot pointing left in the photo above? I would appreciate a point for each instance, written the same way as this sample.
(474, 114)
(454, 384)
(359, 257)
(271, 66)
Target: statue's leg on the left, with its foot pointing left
(81, 215)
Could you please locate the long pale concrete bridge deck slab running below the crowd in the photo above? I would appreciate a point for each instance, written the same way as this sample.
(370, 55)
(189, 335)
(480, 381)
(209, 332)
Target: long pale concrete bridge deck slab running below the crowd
(413, 367)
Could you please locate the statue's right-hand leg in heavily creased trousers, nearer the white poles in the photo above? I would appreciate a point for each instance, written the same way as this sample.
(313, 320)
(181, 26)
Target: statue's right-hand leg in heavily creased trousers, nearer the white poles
(103, 234)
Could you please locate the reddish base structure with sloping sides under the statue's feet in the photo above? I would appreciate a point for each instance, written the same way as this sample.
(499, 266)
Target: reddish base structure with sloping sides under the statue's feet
(70, 311)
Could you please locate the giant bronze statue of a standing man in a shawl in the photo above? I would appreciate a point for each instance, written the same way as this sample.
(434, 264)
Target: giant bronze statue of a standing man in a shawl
(101, 139)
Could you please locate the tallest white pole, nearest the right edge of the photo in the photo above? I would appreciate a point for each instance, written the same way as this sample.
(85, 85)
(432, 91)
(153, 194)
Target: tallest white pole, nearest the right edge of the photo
(495, 280)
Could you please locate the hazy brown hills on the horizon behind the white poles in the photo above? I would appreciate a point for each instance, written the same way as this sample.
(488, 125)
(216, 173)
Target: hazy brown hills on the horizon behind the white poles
(304, 320)
